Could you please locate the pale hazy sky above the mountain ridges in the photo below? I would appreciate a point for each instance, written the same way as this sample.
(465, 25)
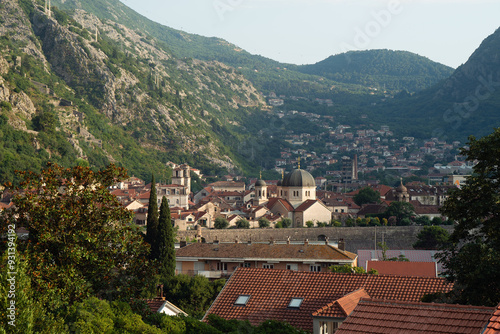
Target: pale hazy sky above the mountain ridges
(307, 31)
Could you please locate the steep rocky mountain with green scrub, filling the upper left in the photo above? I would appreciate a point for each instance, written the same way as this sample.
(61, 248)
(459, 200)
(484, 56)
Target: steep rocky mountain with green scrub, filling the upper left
(77, 88)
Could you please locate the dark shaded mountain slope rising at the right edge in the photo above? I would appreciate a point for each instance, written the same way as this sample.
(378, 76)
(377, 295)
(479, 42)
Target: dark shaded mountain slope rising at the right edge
(466, 103)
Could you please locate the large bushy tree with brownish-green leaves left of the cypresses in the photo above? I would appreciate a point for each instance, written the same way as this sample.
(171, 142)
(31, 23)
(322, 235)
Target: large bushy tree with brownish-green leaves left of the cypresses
(82, 240)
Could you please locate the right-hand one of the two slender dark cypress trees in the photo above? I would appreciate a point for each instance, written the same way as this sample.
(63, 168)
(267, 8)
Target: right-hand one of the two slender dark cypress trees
(166, 245)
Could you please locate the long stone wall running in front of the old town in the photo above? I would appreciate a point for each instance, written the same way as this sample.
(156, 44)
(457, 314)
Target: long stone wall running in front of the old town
(396, 237)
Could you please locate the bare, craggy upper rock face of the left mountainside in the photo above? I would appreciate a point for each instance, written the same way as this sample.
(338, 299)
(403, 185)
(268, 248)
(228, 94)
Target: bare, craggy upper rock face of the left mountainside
(165, 103)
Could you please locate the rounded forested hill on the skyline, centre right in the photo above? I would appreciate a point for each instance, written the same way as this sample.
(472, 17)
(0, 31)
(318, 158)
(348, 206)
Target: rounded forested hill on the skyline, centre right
(392, 70)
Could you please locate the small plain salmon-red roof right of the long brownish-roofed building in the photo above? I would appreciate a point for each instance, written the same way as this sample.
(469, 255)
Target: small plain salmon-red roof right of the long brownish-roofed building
(423, 269)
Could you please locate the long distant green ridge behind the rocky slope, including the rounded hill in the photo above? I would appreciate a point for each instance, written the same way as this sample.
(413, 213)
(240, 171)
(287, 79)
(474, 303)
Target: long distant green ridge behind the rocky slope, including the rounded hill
(398, 70)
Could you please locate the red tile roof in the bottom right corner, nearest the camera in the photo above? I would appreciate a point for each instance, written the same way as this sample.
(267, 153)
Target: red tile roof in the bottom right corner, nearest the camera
(384, 316)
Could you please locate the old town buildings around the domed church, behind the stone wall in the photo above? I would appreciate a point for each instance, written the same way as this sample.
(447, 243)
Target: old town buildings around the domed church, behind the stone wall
(298, 197)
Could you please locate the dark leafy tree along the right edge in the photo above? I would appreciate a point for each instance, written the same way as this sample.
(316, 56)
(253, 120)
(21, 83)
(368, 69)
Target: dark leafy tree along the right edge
(472, 257)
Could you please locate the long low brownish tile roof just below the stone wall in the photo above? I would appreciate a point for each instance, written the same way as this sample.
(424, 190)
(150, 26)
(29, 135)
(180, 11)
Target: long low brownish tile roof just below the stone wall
(265, 251)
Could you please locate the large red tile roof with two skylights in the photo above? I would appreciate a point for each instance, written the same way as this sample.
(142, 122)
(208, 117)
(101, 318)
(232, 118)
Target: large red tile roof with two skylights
(271, 290)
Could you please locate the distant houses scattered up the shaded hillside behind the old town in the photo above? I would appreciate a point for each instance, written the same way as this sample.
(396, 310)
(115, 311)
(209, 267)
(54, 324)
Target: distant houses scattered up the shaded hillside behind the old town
(375, 149)
